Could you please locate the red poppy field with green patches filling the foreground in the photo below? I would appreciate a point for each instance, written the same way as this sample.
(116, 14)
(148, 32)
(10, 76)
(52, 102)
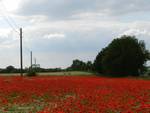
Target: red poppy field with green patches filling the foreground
(74, 94)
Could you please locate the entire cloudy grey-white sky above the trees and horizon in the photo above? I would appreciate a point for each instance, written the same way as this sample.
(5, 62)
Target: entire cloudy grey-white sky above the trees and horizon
(58, 31)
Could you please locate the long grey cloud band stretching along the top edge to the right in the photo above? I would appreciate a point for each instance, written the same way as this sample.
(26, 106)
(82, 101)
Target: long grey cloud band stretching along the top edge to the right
(63, 9)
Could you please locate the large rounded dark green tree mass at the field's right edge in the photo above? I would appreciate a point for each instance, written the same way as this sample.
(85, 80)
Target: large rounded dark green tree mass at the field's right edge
(123, 56)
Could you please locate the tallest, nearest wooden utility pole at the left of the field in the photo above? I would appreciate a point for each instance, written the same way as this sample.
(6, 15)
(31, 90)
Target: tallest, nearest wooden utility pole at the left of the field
(21, 63)
